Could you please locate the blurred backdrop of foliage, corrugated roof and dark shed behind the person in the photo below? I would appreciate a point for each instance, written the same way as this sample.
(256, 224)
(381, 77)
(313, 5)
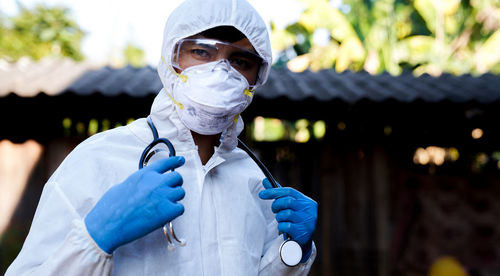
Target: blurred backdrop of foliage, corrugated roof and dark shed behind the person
(385, 112)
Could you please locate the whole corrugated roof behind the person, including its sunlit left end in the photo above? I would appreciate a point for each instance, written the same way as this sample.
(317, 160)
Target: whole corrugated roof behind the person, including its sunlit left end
(324, 85)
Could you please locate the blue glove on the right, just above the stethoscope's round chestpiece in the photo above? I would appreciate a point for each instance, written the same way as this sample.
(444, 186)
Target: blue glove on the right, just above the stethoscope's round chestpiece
(296, 214)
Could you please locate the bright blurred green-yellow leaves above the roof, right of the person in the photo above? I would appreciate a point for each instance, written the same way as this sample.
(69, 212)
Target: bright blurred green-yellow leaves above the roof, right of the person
(425, 36)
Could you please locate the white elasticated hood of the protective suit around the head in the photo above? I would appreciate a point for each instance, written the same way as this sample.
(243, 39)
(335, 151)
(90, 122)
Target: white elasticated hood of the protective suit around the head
(195, 16)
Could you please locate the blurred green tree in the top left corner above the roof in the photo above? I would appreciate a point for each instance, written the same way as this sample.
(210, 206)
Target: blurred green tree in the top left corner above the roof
(40, 32)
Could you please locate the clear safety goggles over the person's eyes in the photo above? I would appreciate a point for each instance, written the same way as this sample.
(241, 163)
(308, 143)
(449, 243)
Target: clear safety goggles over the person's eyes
(195, 51)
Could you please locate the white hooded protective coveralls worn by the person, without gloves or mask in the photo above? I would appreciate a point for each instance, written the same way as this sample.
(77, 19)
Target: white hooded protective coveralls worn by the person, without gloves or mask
(229, 230)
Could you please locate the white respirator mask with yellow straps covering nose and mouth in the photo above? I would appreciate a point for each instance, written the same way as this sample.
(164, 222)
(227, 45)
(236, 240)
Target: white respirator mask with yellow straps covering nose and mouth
(211, 96)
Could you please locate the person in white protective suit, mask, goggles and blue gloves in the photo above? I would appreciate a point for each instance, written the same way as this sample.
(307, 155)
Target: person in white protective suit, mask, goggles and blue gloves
(99, 214)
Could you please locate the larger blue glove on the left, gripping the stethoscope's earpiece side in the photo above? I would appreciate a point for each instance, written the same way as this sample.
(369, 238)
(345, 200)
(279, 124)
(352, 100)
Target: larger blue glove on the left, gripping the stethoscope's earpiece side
(145, 201)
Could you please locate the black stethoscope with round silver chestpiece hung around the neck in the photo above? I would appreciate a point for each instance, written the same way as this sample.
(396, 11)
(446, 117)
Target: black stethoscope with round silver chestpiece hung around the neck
(290, 251)
